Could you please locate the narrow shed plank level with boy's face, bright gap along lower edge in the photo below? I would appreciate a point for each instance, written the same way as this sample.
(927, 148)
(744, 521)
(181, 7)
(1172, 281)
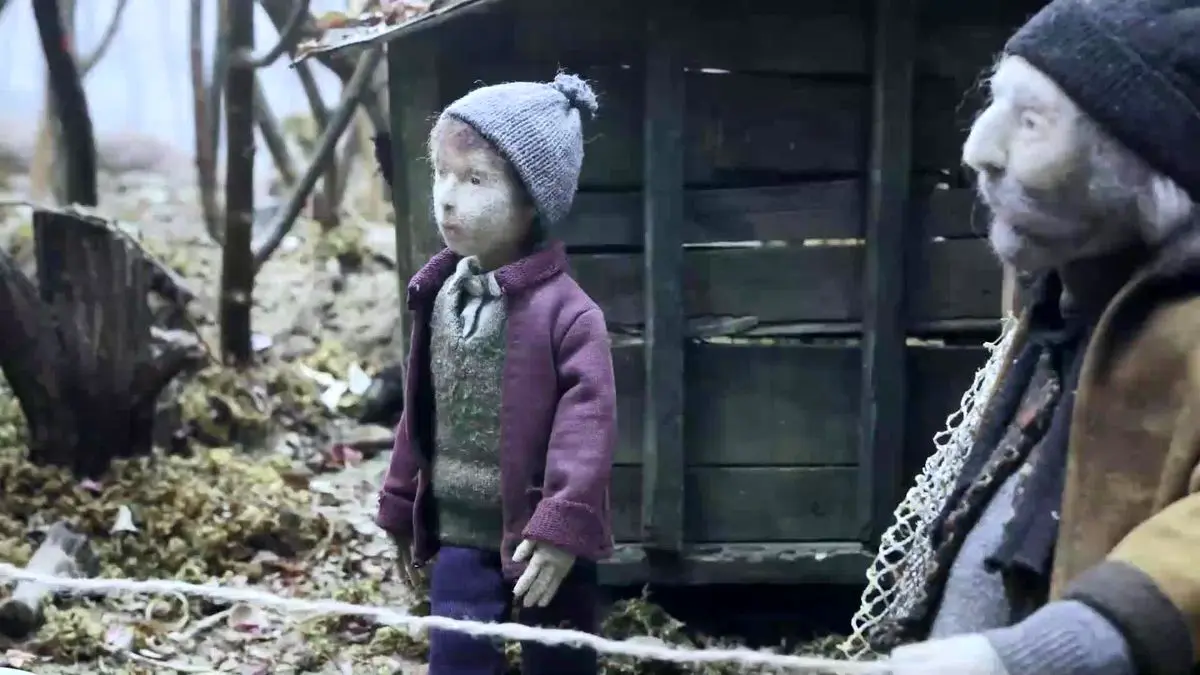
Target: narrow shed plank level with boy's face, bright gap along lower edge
(832, 210)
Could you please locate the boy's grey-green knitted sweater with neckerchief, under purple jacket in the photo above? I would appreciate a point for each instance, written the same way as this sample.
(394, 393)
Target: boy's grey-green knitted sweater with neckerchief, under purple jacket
(467, 363)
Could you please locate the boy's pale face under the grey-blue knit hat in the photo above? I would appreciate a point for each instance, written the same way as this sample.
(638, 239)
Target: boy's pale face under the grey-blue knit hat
(479, 204)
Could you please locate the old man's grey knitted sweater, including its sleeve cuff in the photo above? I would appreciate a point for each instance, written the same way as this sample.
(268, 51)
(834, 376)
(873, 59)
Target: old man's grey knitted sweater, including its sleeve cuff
(1061, 638)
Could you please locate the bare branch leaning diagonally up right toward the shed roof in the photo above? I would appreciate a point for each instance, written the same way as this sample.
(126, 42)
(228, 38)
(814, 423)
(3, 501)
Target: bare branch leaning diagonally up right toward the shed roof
(283, 222)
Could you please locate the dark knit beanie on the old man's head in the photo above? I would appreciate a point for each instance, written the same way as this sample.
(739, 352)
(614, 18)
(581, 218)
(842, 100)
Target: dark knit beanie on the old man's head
(1135, 68)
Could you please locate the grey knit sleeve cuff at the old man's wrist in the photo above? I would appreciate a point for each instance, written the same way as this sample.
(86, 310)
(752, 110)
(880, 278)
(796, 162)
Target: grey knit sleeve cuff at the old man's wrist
(1064, 638)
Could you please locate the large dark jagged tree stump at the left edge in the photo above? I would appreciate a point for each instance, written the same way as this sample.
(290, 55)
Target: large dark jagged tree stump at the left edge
(77, 350)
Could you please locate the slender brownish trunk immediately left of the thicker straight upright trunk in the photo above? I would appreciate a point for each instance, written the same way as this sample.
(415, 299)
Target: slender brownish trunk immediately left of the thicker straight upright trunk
(202, 110)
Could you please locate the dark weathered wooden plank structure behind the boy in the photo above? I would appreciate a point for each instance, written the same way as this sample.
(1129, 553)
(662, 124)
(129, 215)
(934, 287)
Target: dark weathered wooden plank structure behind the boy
(775, 220)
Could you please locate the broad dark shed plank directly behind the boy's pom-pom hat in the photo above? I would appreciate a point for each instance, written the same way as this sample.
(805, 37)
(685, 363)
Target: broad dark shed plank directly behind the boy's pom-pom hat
(741, 129)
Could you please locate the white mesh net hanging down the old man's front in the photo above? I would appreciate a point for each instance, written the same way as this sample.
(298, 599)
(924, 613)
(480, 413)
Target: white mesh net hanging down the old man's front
(896, 580)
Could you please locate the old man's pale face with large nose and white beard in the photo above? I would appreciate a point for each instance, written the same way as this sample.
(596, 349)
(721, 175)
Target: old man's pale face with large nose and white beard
(1058, 187)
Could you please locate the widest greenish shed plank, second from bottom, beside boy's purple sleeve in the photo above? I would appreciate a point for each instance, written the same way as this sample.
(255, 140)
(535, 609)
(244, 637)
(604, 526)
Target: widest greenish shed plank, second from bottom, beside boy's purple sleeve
(753, 405)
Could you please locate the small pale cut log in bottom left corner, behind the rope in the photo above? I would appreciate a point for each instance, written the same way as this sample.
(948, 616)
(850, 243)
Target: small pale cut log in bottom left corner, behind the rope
(63, 554)
